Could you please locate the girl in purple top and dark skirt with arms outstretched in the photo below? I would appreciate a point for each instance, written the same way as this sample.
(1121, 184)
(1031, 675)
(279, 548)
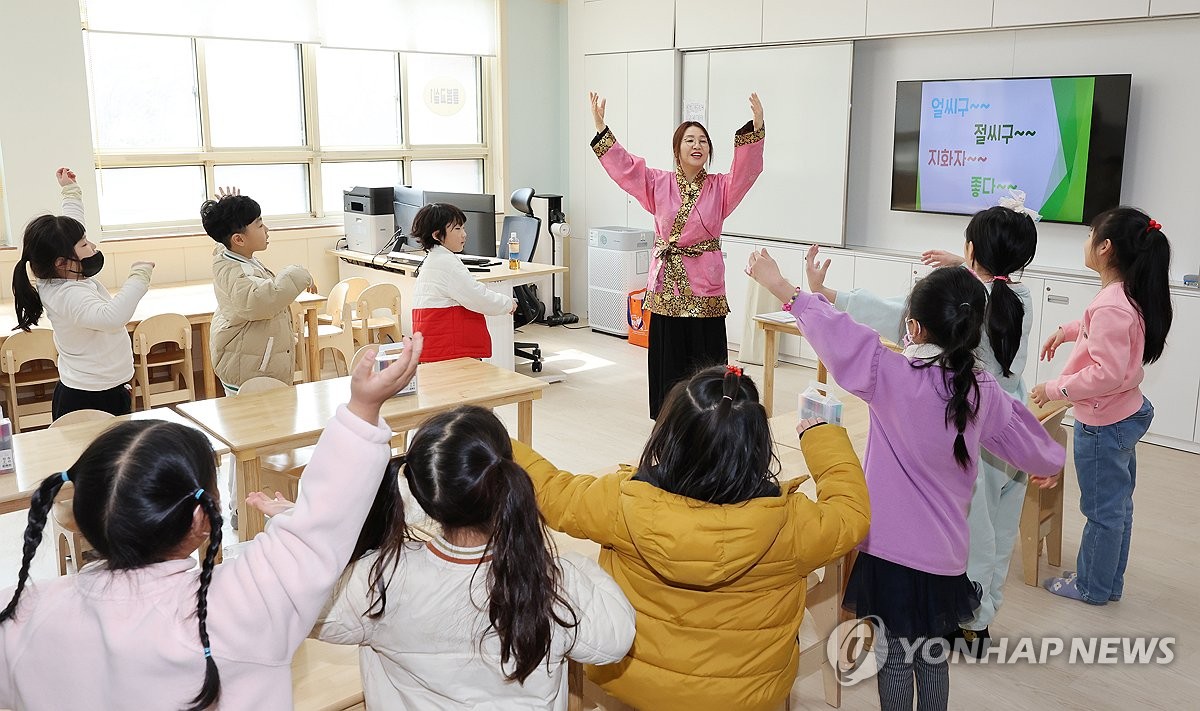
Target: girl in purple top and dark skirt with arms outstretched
(932, 413)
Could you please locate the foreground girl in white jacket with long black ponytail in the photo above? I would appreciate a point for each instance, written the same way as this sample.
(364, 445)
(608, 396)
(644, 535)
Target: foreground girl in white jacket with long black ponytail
(478, 611)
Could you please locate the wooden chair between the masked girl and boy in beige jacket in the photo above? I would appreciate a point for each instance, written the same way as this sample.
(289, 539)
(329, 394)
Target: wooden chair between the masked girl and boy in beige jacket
(175, 334)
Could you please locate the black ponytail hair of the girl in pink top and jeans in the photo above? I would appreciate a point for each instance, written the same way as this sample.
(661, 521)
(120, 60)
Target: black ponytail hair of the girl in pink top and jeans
(1143, 258)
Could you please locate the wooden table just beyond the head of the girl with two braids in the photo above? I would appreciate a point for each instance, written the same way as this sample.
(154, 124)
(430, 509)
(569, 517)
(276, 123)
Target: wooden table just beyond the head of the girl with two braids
(41, 453)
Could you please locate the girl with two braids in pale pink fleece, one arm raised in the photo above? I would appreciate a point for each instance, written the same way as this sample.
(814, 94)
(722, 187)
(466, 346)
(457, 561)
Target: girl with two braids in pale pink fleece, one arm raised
(145, 628)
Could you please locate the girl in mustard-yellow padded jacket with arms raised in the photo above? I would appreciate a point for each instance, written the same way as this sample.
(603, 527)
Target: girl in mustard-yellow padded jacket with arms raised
(712, 549)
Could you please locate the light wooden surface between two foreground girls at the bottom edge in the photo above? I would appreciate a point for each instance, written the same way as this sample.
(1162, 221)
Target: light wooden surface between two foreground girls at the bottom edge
(327, 678)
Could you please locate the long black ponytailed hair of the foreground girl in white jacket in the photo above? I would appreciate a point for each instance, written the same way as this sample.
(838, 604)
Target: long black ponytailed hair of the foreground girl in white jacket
(460, 470)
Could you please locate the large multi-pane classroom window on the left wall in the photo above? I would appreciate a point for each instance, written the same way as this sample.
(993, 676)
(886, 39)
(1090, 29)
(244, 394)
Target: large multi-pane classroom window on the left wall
(292, 126)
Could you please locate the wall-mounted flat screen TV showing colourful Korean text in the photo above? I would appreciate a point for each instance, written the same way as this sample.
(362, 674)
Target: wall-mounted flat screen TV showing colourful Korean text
(963, 145)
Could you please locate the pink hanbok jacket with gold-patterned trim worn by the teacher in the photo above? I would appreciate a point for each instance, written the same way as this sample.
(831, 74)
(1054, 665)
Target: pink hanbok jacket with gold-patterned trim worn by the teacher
(687, 274)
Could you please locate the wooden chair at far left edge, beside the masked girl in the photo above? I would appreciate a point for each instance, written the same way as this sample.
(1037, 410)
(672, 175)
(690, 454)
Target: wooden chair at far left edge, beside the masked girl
(37, 350)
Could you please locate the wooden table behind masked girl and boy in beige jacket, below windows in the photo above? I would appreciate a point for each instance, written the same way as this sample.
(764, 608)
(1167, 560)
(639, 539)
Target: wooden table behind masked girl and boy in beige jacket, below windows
(197, 302)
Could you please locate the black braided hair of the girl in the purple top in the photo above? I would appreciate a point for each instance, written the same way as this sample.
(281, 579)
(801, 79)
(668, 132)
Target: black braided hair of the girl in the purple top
(950, 306)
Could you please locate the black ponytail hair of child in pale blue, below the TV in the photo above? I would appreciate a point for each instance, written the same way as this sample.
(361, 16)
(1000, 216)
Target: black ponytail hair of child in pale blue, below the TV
(1004, 242)
